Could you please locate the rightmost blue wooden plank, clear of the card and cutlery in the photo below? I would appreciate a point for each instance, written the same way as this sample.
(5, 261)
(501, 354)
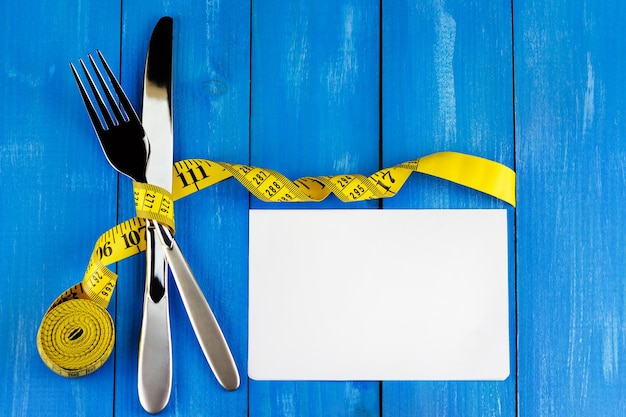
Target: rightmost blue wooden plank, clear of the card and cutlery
(570, 94)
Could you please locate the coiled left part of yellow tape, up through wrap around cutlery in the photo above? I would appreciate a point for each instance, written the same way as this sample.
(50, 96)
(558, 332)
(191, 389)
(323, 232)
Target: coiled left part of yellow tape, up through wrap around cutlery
(77, 333)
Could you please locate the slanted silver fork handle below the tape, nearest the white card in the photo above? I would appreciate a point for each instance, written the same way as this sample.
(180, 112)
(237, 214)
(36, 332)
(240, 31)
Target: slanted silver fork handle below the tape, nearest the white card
(205, 326)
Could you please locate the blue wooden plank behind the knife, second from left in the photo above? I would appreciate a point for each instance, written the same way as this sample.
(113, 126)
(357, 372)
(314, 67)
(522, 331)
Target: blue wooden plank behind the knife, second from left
(211, 113)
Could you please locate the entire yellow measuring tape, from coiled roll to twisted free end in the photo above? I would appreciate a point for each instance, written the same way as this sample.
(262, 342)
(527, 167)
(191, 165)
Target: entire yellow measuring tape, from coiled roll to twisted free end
(77, 335)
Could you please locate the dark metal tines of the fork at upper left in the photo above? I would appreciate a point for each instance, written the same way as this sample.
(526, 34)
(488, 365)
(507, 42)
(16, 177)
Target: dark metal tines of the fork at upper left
(119, 117)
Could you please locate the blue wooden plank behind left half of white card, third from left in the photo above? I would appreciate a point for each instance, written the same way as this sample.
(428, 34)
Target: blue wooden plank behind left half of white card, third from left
(315, 108)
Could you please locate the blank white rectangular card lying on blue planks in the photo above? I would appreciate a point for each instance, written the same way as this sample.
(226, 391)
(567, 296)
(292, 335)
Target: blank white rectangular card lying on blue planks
(378, 295)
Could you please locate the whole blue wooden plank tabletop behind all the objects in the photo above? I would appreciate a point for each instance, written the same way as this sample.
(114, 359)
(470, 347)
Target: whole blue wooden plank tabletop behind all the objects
(318, 88)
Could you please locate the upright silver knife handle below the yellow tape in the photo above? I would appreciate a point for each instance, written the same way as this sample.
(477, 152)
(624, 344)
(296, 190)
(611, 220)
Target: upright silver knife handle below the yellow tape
(154, 374)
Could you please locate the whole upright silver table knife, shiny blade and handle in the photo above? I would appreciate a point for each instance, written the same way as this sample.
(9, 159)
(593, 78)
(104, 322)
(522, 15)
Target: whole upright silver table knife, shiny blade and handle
(154, 373)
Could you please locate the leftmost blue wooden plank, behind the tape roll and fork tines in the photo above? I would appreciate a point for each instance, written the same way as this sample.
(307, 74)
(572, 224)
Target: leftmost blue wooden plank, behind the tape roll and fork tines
(57, 195)
